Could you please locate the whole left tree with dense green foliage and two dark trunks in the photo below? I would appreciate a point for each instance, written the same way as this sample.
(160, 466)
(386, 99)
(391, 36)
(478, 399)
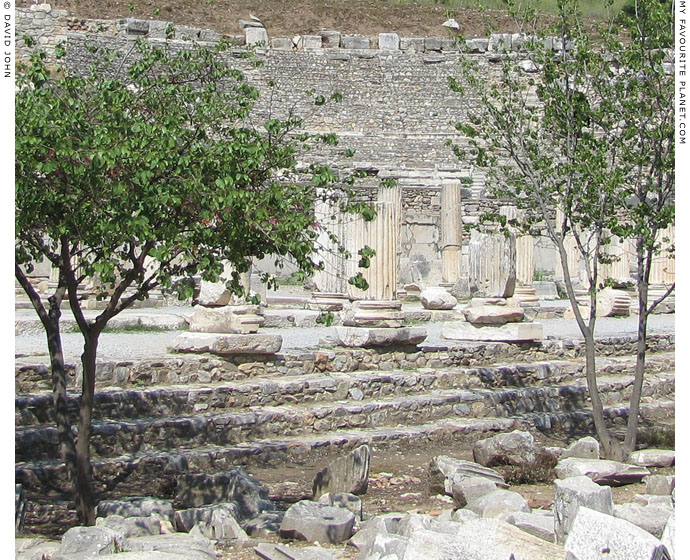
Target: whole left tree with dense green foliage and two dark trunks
(143, 172)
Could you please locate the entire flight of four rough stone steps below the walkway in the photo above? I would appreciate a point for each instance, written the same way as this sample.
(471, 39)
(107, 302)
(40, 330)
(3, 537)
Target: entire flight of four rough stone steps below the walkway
(155, 420)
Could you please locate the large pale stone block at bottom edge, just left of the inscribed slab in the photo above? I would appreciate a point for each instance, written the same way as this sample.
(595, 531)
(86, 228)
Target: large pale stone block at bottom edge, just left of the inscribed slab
(481, 539)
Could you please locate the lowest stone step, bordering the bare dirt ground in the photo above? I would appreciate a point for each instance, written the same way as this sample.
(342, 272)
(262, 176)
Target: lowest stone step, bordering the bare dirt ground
(155, 472)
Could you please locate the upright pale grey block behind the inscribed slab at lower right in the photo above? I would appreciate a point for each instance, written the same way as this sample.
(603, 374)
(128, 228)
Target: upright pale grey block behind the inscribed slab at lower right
(570, 495)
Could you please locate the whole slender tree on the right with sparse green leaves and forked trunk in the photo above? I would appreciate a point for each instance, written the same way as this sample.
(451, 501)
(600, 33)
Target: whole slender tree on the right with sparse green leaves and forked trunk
(564, 128)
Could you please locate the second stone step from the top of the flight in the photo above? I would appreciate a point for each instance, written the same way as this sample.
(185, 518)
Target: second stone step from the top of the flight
(116, 404)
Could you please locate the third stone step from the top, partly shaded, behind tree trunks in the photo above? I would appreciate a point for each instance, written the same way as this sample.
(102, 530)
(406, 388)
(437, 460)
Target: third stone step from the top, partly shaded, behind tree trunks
(112, 437)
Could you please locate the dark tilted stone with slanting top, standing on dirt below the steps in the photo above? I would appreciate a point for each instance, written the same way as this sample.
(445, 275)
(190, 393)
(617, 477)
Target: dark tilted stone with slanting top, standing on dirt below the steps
(349, 473)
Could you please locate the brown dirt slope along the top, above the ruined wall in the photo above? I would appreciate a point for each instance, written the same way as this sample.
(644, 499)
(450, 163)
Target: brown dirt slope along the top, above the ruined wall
(289, 17)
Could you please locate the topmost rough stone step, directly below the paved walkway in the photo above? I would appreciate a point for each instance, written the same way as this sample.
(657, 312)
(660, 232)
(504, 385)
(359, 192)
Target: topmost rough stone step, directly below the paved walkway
(31, 377)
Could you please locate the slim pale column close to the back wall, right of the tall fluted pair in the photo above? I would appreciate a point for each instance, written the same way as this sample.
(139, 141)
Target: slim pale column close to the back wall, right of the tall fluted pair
(451, 232)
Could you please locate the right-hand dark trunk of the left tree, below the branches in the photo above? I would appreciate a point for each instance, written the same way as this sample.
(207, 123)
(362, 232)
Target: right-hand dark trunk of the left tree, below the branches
(86, 503)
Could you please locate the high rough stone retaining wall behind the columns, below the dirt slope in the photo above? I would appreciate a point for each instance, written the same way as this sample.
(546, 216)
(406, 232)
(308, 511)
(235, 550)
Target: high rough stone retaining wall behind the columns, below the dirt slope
(397, 110)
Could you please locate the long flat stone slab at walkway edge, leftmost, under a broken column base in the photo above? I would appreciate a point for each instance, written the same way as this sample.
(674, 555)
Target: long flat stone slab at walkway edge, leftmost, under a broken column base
(228, 344)
